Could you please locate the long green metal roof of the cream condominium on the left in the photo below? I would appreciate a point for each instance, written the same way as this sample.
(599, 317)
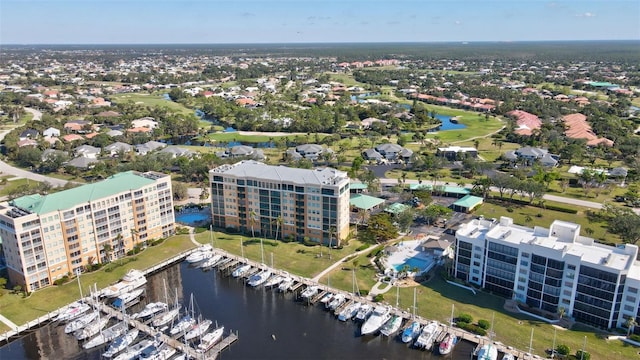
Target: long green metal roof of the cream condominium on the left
(67, 199)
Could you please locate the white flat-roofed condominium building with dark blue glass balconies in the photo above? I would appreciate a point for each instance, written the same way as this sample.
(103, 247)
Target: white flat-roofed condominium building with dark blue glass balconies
(551, 269)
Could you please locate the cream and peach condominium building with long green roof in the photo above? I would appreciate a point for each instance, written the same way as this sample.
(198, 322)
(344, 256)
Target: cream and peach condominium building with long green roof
(47, 237)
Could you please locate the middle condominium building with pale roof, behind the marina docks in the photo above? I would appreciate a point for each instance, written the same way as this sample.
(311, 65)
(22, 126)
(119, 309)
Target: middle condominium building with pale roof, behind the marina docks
(280, 202)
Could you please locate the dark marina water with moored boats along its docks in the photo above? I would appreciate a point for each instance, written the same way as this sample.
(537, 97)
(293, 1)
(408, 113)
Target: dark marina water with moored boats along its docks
(271, 325)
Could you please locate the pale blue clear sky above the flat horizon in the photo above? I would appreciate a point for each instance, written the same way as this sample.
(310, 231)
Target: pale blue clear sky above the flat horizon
(309, 21)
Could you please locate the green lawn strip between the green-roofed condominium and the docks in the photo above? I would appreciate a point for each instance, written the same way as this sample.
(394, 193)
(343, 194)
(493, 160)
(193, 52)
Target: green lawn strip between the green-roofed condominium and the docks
(21, 310)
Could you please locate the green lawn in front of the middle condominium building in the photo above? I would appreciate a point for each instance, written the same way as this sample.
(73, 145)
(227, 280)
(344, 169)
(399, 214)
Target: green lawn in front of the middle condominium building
(293, 257)
